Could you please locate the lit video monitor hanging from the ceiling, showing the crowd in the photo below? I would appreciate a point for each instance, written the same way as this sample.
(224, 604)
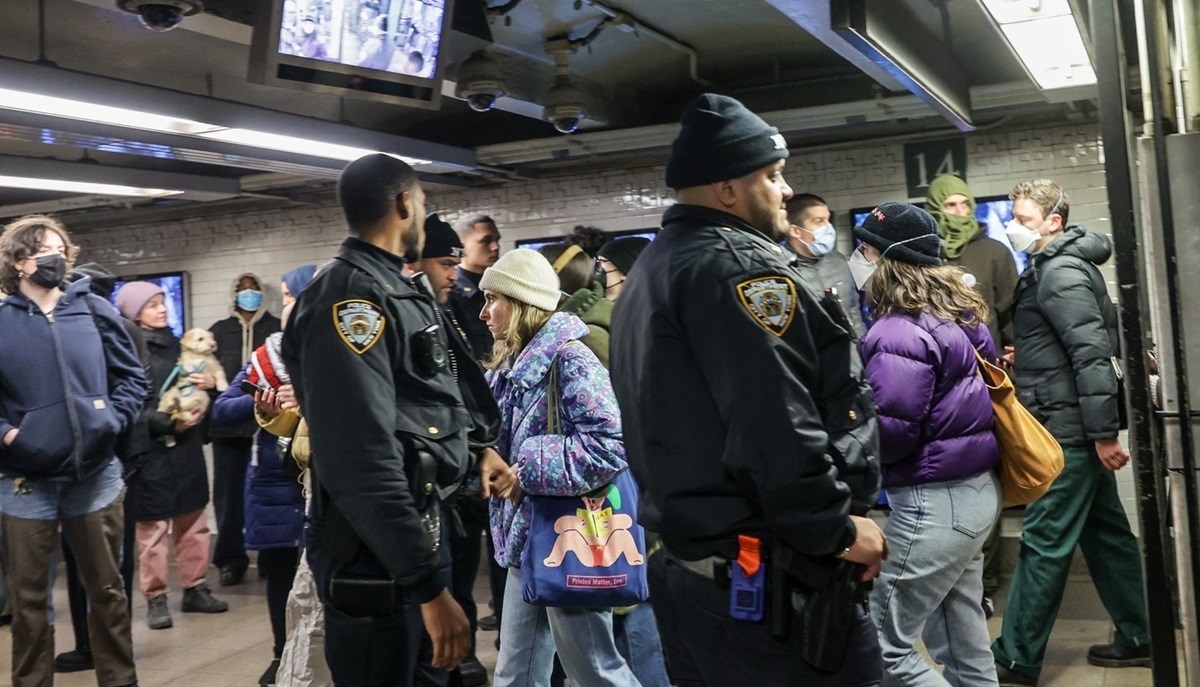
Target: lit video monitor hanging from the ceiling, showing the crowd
(388, 51)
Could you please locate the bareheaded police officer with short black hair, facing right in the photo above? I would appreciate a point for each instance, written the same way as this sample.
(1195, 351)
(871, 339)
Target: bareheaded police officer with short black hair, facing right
(389, 434)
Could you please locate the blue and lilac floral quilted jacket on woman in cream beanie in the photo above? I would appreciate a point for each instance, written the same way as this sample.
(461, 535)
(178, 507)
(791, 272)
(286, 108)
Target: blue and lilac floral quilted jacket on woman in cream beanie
(587, 456)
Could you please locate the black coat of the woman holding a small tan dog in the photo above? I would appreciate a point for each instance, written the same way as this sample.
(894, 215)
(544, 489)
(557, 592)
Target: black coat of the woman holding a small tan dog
(172, 481)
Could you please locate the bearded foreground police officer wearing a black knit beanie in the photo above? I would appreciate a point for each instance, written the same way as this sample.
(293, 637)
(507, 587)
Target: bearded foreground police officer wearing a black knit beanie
(747, 421)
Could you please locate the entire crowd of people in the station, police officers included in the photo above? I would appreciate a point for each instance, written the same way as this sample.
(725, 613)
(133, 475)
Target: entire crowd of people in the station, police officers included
(423, 389)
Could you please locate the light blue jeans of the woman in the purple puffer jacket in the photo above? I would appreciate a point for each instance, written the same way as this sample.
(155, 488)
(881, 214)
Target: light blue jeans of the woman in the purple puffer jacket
(933, 581)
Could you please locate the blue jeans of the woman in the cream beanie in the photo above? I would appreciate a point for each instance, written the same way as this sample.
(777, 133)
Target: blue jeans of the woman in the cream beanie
(583, 637)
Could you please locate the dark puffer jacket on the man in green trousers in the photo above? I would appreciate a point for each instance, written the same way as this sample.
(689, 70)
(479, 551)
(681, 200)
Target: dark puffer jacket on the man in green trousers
(1066, 337)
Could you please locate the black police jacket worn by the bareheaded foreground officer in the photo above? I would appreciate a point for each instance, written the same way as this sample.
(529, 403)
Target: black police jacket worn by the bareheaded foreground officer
(376, 398)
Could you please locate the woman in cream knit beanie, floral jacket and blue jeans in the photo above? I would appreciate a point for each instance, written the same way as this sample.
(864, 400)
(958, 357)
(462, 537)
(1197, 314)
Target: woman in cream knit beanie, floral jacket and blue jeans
(521, 292)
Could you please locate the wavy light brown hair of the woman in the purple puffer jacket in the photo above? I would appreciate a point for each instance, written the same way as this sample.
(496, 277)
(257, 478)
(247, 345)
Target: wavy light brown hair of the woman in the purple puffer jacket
(901, 288)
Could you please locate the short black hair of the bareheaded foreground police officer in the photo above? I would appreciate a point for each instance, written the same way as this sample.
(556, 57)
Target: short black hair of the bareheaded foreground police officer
(369, 187)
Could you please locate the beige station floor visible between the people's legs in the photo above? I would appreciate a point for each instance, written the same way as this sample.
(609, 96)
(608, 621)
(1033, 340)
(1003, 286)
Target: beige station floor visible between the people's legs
(233, 649)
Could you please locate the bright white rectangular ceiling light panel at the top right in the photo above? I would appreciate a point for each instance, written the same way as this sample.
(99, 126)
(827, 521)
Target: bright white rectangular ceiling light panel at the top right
(1047, 39)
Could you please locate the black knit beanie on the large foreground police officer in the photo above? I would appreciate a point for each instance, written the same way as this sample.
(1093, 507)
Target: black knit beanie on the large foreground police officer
(722, 140)
